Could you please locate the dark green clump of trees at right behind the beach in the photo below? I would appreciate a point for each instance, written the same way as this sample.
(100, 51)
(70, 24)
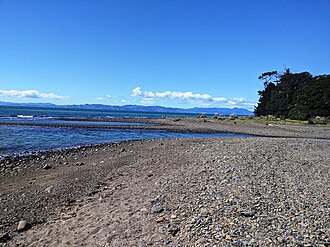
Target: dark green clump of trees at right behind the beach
(294, 95)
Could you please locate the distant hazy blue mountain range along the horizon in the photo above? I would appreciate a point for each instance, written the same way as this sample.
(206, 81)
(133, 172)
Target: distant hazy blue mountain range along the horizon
(139, 108)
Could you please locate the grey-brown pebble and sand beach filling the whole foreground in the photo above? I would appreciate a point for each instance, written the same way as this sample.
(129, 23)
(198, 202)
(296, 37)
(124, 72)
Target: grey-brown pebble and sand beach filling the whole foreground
(269, 189)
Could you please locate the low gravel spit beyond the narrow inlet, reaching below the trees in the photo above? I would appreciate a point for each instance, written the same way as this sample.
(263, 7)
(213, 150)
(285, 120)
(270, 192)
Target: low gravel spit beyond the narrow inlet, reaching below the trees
(200, 125)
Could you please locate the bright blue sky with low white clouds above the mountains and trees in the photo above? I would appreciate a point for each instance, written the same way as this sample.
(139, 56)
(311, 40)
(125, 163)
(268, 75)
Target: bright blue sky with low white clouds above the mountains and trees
(176, 53)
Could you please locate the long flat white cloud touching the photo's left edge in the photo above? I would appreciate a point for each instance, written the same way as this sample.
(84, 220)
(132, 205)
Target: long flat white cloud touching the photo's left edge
(30, 94)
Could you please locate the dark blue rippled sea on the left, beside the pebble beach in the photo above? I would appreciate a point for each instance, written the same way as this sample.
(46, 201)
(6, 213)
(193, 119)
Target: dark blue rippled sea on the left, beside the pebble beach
(22, 139)
